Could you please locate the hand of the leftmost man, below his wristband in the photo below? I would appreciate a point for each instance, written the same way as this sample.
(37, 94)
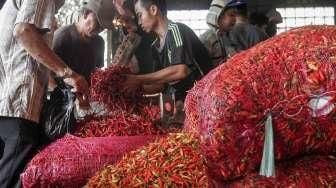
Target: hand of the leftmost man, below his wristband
(80, 87)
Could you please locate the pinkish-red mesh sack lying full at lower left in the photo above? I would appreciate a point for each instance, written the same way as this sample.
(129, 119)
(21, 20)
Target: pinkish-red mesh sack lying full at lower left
(70, 161)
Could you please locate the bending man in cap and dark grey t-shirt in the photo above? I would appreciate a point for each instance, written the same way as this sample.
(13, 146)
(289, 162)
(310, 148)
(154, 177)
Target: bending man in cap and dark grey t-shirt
(79, 44)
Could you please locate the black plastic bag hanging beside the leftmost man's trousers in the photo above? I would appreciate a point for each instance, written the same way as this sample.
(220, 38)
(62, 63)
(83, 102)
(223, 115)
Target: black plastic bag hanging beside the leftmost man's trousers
(58, 112)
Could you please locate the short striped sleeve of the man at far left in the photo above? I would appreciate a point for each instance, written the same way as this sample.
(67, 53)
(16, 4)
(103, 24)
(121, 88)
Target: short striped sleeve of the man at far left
(38, 12)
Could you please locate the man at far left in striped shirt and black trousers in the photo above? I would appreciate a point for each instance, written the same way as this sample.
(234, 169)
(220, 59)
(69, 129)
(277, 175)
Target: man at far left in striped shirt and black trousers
(25, 62)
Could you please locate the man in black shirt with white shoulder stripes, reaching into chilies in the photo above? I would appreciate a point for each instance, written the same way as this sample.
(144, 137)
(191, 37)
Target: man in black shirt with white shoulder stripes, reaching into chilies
(181, 58)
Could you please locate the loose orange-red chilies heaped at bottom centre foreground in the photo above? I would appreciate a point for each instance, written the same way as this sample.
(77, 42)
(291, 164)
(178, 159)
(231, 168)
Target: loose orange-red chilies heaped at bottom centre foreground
(174, 161)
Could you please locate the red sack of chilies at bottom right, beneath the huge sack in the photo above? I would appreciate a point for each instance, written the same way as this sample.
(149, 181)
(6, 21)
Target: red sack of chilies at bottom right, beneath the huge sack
(318, 171)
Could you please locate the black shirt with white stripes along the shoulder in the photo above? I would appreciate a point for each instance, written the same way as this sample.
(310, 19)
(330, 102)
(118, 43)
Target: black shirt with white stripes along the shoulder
(182, 46)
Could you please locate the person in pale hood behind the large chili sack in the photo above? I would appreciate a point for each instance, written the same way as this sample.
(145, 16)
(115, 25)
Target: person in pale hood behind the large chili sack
(221, 19)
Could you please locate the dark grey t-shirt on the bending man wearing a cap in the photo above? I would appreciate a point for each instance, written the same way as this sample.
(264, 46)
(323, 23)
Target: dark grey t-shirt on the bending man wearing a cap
(81, 56)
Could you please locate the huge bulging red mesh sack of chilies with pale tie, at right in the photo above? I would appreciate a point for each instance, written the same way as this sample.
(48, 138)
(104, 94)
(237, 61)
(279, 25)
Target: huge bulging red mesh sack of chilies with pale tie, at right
(272, 102)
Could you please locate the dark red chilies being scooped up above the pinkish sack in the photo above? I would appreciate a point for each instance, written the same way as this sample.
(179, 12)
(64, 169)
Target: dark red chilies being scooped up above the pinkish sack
(130, 113)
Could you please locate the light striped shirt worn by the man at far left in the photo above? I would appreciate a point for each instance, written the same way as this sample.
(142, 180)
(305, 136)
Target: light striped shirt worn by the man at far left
(22, 79)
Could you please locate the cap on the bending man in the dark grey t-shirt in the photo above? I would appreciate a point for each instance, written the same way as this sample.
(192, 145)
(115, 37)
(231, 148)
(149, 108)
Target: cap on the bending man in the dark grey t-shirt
(104, 11)
